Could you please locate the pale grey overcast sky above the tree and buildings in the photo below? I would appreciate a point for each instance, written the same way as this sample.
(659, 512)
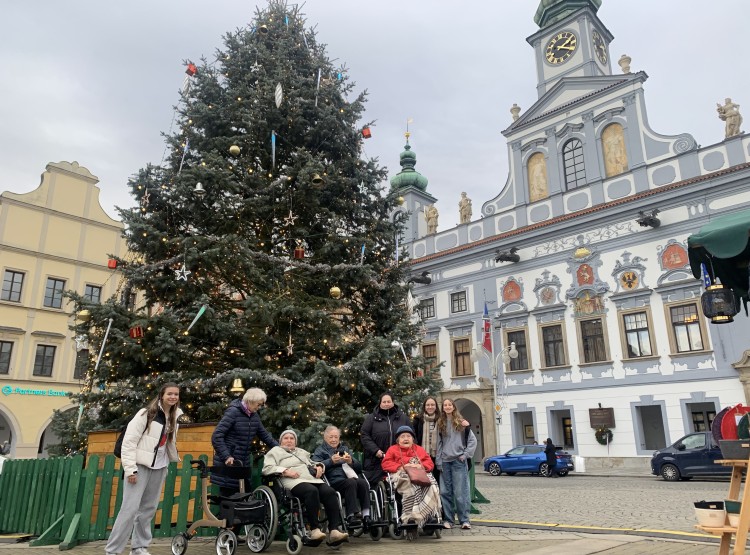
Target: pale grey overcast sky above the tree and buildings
(95, 82)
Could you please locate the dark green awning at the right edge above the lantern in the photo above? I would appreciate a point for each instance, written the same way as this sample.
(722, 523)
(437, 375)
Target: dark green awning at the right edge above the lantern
(722, 245)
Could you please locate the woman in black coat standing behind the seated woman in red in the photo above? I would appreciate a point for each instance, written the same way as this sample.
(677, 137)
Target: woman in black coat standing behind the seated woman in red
(378, 434)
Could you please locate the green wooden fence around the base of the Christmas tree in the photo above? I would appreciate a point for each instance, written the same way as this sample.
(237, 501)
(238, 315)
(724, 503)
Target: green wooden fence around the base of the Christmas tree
(60, 502)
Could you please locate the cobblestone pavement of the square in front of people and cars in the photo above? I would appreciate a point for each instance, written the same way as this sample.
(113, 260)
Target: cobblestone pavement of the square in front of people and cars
(576, 515)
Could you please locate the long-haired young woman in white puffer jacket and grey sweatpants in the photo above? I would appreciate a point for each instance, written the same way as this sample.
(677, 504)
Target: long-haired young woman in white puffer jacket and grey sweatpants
(149, 445)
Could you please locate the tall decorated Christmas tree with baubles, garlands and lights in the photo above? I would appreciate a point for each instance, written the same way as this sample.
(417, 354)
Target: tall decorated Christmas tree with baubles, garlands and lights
(264, 248)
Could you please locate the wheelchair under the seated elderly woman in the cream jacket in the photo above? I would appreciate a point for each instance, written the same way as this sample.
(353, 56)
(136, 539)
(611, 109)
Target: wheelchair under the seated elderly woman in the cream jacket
(292, 518)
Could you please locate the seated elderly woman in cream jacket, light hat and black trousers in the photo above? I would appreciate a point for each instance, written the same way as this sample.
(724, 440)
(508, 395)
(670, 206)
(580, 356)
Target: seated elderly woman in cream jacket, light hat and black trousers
(301, 476)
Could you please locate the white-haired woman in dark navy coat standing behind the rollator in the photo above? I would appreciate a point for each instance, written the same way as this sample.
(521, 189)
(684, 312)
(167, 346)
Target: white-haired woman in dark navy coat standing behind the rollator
(232, 436)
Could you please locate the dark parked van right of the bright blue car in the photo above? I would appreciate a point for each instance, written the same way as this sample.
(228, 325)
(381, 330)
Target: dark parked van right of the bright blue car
(689, 456)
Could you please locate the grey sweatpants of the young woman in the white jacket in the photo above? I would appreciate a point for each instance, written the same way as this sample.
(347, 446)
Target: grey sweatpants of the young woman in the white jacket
(139, 502)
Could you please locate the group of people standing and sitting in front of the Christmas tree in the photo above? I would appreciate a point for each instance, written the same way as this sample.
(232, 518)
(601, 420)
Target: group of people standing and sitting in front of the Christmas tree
(438, 441)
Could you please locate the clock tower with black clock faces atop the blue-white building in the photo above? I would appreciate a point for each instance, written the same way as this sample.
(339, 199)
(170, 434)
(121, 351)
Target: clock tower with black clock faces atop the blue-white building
(571, 42)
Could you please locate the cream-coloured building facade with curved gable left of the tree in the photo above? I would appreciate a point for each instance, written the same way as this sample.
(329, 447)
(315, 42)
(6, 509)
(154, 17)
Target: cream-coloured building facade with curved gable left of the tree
(55, 237)
